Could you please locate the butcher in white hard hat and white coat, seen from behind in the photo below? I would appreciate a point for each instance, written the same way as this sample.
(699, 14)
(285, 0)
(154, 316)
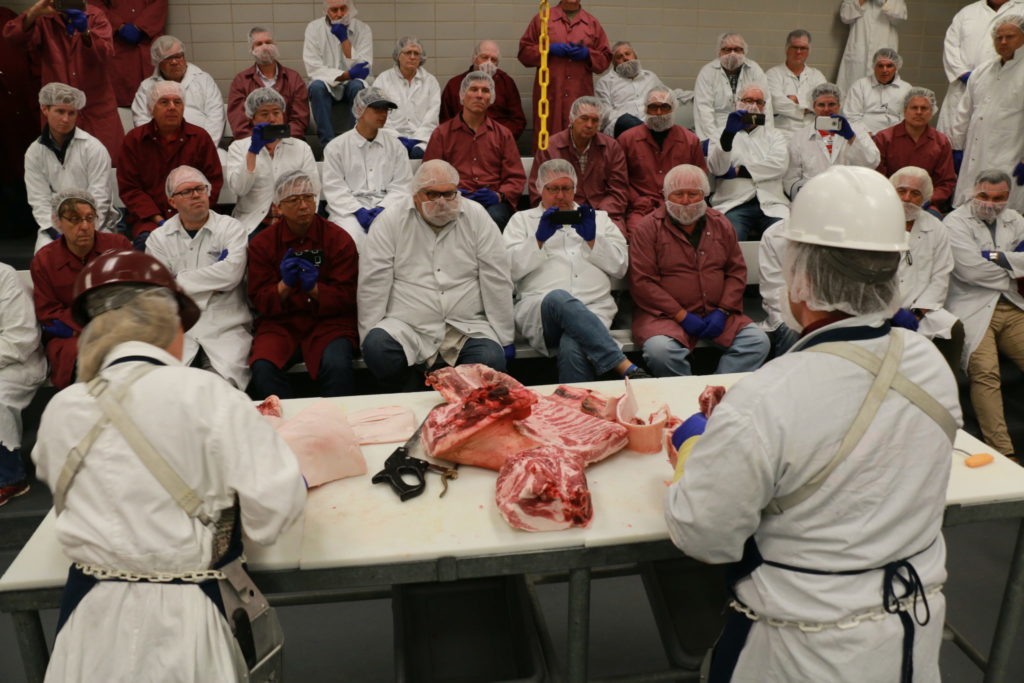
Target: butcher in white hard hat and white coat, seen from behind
(815, 562)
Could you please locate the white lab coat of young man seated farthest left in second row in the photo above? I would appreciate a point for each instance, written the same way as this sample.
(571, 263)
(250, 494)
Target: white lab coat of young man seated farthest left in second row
(88, 166)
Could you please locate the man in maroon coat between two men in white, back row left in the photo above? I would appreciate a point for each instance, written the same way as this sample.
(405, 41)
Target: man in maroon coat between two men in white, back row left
(268, 73)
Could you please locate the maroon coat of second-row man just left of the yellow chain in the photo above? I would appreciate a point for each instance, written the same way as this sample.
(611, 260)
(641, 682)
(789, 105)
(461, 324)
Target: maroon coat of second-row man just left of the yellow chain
(487, 158)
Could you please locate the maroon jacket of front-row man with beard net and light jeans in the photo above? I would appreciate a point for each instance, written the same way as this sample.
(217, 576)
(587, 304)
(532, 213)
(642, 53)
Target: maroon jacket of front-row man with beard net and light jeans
(667, 275)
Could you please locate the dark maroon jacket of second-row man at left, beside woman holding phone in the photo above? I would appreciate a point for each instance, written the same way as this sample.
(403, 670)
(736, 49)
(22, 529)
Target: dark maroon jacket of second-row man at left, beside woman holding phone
(146, 161)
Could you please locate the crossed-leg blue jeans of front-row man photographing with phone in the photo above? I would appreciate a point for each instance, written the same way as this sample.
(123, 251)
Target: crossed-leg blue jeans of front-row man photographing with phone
(586, 351)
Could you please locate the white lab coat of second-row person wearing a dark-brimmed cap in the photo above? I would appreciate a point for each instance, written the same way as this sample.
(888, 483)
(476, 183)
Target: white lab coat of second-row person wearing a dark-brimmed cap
(364, 175)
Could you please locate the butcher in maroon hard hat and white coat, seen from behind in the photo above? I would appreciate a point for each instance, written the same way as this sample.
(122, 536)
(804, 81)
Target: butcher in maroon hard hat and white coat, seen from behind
(116, 518)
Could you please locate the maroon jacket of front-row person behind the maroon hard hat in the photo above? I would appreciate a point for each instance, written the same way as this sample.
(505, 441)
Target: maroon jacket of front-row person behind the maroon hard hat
(54, 272)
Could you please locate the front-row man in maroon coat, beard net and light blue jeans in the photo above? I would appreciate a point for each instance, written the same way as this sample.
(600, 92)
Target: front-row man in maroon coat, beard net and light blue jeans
(688, 279)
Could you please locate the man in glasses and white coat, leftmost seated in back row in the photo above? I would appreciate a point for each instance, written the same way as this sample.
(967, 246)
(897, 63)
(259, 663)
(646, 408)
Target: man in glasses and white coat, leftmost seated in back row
(204, 104)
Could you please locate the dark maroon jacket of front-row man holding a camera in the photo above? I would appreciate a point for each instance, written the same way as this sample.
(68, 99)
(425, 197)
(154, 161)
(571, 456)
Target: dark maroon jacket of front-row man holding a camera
(302, 322)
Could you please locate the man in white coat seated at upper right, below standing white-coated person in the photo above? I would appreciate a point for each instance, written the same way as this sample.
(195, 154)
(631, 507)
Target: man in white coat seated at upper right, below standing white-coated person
(877, 102)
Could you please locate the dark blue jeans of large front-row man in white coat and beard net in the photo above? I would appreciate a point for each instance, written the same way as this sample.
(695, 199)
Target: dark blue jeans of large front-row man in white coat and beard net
(386, 358)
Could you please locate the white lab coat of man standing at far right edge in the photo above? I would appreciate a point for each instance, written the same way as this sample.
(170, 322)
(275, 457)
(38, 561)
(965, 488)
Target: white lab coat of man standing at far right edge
(990, 126)
